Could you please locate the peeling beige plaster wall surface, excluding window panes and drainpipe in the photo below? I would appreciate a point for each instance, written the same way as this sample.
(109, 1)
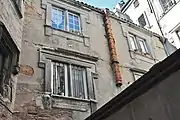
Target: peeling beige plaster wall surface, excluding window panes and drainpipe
(43, 44)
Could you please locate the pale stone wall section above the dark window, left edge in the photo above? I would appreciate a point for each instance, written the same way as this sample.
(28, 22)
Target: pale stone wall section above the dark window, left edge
(12, 21)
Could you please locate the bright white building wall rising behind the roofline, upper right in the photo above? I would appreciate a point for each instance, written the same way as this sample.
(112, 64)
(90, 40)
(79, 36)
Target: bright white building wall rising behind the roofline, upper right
(153, 13)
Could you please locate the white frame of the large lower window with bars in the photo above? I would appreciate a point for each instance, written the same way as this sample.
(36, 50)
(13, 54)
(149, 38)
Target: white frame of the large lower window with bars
(69, 87)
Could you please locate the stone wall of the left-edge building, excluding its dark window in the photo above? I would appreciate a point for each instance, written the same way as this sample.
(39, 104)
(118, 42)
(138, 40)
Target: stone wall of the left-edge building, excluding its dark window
(13, 23)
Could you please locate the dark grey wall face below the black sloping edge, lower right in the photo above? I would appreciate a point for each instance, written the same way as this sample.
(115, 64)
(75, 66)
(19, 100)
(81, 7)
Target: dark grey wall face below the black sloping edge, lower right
(159, 102)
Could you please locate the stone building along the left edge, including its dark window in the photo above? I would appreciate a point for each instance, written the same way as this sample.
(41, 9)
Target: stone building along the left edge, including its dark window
(11, 24)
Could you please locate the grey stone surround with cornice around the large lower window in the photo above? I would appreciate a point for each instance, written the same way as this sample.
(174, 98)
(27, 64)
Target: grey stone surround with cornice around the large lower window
(45, 57)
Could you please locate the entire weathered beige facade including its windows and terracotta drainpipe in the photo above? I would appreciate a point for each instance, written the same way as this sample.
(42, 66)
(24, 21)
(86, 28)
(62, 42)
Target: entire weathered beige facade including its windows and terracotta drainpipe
(72, 55)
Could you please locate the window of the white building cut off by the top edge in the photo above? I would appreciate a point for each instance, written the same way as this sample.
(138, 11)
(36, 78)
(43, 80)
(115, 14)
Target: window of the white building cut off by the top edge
(166, 4)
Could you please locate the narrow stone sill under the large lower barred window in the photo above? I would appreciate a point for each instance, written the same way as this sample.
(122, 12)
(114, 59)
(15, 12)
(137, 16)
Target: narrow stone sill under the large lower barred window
(73, 98)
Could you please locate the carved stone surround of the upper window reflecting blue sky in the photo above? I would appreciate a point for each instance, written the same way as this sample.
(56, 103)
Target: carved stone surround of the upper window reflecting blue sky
(49, 30)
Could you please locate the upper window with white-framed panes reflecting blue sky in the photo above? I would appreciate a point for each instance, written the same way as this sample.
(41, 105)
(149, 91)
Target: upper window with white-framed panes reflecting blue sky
(65, 20)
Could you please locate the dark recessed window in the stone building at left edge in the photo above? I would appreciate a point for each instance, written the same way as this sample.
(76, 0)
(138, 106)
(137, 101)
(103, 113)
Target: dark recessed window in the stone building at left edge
(8, 60)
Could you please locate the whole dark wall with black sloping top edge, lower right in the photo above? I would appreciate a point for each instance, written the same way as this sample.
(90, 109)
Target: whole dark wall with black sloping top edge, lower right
(153, 97)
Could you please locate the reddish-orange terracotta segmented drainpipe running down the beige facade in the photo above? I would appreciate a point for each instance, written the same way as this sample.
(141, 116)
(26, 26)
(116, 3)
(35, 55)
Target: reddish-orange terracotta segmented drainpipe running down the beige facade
(112, 49)
